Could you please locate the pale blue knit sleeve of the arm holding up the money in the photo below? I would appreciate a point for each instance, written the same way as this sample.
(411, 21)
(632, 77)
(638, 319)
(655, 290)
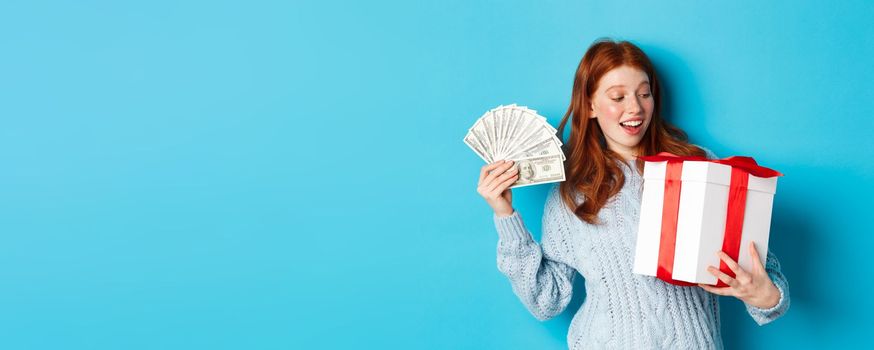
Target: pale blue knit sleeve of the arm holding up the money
(539, 273)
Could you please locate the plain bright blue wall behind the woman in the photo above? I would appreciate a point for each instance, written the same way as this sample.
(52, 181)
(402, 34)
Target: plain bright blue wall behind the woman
(275, 175)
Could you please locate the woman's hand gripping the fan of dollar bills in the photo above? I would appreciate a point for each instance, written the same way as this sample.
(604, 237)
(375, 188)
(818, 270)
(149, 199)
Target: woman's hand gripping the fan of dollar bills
(494, 180)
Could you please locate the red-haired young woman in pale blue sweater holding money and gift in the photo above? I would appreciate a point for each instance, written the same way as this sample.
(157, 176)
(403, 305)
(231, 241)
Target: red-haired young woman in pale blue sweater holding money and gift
(590, 222)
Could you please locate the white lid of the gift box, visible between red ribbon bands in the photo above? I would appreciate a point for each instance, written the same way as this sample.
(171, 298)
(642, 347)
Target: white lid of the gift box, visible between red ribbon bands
(703, 171)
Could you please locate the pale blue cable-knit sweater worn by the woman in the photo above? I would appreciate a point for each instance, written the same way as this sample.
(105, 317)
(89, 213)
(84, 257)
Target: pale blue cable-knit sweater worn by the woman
(622, 310)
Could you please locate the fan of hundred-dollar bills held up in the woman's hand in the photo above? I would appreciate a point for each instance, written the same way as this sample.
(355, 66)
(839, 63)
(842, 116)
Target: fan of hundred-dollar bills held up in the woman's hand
(518, 133)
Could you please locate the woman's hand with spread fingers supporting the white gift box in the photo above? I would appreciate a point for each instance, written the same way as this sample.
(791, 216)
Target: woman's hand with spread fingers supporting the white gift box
(753, 287)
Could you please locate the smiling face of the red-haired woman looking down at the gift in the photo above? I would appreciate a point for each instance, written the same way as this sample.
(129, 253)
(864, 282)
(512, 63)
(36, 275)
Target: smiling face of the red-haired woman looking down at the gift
(623, 104)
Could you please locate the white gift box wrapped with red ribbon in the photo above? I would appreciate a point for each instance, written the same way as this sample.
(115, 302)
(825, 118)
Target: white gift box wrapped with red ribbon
(702, 212)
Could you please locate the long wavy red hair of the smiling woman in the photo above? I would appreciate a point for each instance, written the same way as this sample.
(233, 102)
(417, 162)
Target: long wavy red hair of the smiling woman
(591, 168)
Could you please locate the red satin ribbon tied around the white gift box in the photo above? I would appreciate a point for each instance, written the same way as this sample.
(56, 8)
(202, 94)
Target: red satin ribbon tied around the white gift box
(741, 168)
